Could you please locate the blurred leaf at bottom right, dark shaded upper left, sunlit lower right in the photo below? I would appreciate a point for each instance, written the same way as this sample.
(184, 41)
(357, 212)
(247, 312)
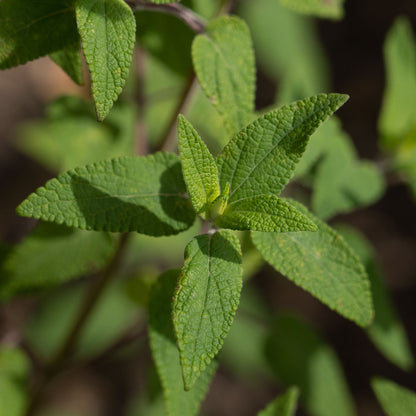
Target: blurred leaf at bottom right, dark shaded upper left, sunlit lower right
(311, 364)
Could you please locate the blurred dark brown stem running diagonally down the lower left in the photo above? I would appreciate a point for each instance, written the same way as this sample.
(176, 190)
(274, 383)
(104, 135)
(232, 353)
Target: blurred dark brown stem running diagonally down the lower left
(65, 352)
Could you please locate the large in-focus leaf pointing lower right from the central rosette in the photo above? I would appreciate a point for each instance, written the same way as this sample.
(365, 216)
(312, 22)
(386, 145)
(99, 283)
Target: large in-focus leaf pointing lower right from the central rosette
(322, 264)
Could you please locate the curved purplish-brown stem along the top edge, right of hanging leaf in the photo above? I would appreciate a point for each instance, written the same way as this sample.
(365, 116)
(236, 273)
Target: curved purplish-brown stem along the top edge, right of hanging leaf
(189, 17)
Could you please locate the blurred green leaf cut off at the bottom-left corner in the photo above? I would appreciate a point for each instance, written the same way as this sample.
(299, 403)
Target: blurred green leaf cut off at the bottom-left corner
(14, 371)
